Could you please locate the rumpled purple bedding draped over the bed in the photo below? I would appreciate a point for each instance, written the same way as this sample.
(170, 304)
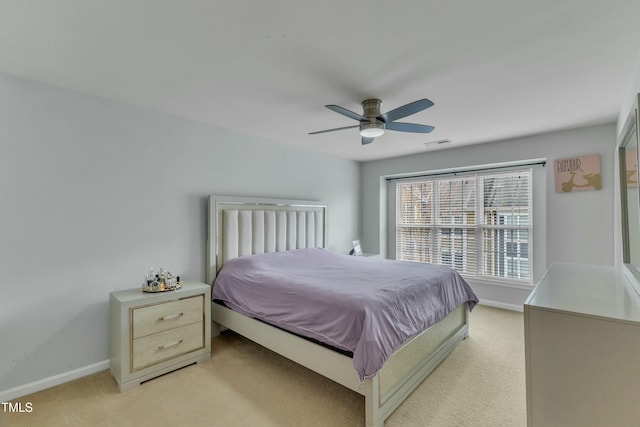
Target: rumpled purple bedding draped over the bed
(368, 306)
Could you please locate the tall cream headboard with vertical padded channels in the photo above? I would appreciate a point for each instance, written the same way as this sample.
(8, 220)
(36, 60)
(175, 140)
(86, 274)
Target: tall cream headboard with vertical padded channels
(240, 226)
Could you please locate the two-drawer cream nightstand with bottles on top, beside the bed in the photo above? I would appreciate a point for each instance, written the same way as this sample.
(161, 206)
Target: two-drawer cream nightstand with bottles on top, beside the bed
(155, 333)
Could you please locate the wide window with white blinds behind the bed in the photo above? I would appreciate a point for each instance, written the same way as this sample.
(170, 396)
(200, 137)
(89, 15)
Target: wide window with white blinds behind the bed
(478, 224)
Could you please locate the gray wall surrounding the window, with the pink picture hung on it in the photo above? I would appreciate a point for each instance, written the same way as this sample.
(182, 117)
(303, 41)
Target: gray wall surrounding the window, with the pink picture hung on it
(578, 225)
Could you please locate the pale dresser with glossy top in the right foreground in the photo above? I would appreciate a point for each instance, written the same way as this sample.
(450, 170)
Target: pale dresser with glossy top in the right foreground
(582, 348)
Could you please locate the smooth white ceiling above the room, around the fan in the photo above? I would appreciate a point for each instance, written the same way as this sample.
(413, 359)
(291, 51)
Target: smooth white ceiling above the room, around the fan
(495, 69)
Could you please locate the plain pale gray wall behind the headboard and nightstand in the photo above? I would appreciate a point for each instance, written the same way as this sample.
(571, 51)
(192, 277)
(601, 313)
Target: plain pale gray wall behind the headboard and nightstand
(94, 192)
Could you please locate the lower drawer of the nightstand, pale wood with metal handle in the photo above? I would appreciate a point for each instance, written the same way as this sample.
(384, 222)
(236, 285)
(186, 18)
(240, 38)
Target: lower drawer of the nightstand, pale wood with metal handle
(162, 346)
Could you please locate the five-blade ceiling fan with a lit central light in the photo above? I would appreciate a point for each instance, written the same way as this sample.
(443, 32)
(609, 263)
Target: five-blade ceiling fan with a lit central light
(373, 123)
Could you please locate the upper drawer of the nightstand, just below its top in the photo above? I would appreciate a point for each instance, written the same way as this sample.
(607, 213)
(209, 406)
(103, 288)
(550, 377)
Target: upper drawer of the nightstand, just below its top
(162, 317)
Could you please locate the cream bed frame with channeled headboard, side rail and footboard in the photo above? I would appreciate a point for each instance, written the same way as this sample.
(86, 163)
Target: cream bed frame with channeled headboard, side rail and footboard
(240, 226)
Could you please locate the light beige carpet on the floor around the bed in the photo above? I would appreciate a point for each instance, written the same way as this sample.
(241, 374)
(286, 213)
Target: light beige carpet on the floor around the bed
(482, 383)
